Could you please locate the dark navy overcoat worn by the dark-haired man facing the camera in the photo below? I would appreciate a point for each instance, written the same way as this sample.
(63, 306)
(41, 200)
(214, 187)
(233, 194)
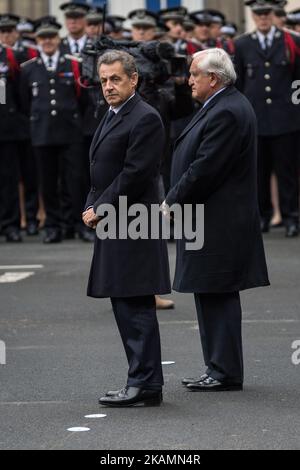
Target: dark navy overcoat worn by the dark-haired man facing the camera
(125, 161)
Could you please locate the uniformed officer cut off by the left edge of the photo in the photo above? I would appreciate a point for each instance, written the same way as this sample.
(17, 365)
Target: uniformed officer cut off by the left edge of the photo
(13, 128)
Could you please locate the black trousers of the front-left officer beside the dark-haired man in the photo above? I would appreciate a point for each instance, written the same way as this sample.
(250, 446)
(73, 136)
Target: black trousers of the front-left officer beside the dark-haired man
(60, 170)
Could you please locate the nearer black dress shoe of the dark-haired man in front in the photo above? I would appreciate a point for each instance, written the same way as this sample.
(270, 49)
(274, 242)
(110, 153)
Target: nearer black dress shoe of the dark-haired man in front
(133, 396)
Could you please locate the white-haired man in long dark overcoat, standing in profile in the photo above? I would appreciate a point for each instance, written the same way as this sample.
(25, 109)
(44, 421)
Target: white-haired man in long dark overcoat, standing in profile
(215, 165)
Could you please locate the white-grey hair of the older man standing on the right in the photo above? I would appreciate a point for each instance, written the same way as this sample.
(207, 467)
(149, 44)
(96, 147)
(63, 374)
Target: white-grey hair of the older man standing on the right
(217, 61)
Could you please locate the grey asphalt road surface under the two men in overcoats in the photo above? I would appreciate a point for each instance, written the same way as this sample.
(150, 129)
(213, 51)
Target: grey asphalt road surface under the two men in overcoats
(63, 352)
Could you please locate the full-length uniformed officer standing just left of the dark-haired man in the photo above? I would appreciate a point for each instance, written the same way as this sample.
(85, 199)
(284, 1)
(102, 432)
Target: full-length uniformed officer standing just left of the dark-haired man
(51, 96)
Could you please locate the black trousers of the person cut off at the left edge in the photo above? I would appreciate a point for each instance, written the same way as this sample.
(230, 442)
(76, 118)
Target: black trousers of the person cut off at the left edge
(9, 187)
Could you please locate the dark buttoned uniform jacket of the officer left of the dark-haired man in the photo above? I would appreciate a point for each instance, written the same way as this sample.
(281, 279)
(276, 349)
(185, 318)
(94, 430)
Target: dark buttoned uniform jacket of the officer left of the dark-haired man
(51, 101)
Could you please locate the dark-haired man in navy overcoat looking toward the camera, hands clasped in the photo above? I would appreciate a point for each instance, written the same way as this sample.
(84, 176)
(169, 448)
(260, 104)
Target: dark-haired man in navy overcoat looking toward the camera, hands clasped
(125, 159)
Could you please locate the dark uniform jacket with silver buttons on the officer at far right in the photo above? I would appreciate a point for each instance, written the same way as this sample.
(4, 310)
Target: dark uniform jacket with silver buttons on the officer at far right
(266, 78)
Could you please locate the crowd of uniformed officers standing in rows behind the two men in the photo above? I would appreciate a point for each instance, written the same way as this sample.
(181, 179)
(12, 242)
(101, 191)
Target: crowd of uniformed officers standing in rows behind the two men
(49, 119)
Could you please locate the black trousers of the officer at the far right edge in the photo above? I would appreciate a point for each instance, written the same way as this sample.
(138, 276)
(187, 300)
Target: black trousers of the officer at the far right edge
(279, 154)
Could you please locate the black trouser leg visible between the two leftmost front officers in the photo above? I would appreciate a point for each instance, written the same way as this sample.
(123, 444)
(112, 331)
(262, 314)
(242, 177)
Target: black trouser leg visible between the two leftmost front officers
(29, 177)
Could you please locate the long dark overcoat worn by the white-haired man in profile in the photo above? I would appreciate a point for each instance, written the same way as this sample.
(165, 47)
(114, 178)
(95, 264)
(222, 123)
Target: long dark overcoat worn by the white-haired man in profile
(215, 164)
